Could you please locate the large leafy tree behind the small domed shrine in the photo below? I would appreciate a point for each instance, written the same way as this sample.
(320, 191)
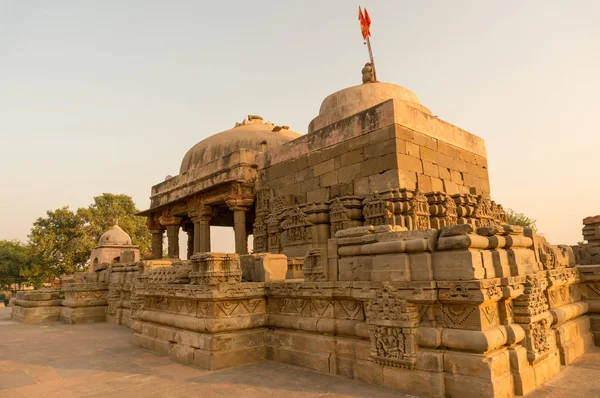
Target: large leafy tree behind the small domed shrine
(62, 241)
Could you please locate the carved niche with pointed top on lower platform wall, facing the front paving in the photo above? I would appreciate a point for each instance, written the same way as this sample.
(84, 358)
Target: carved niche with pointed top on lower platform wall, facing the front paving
(393, 328)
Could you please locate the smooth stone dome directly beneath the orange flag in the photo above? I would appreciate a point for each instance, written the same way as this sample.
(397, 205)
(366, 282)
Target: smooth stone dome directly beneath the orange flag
(355, 99)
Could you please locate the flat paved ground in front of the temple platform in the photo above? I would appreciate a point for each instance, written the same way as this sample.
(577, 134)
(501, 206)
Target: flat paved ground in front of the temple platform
(35, 362)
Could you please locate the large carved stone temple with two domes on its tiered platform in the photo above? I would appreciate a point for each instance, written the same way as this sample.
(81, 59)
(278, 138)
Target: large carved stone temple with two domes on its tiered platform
(378, 255)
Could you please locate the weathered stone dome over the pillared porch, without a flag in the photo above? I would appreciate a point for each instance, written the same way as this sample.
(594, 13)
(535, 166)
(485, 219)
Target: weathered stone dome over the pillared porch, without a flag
(252, 134)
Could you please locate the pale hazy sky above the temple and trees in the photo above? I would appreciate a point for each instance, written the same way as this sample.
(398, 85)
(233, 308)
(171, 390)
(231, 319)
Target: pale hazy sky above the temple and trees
(107, 96)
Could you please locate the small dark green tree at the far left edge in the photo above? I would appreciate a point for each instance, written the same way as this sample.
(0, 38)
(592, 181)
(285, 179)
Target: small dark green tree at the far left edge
(14, 258)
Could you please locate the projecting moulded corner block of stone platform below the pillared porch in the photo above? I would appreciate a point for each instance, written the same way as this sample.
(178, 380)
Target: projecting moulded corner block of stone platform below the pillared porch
(210, 327)
